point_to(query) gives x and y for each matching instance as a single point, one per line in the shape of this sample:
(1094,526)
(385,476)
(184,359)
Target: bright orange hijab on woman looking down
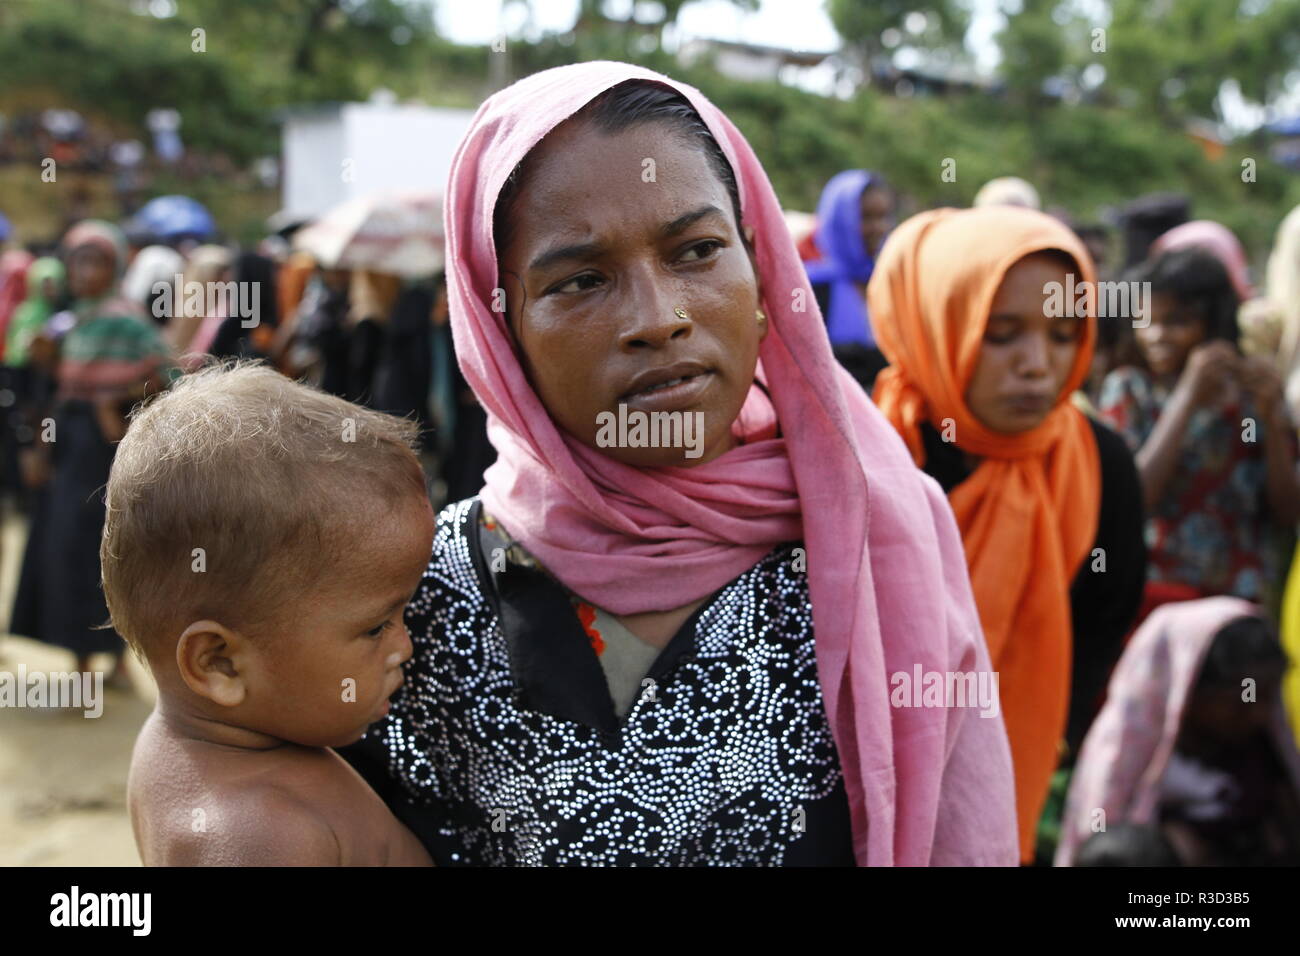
(1029,513)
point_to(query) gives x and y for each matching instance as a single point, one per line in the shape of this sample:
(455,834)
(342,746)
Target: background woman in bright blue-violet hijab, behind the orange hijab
(855,215)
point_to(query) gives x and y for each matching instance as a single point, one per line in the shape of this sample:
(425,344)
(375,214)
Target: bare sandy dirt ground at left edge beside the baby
(63,777)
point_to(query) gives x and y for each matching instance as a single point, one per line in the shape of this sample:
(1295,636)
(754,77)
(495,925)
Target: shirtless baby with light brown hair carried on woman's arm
(262,543)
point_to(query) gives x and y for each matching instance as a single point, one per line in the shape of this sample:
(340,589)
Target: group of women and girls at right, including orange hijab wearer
(1130,557)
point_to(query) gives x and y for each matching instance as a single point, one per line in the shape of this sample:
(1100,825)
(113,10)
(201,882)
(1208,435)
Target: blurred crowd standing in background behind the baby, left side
(97,325)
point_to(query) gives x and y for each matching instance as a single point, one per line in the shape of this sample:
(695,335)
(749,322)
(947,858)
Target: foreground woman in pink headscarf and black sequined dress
(697,612)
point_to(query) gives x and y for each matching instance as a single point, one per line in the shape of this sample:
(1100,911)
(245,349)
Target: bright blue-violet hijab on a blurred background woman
(846,261)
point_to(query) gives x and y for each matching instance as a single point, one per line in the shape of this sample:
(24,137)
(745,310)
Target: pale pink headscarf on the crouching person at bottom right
(1128,750)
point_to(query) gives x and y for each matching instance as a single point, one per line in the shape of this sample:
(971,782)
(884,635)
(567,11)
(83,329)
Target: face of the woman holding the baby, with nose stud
(616,287)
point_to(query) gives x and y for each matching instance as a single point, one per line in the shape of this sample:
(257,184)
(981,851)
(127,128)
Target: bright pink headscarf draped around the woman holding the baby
(886,566)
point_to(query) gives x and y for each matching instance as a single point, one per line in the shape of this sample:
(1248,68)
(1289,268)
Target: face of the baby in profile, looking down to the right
(328,674)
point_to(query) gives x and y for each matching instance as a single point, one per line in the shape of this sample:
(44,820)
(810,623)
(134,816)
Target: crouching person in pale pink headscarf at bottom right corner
(1191,752)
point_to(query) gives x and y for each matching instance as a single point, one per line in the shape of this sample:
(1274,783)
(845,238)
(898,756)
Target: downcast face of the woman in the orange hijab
(1026,357)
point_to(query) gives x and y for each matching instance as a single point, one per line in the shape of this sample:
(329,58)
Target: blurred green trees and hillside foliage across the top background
(1126,139)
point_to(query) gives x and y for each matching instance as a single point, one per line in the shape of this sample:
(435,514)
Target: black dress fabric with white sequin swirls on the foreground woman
(713,767)
